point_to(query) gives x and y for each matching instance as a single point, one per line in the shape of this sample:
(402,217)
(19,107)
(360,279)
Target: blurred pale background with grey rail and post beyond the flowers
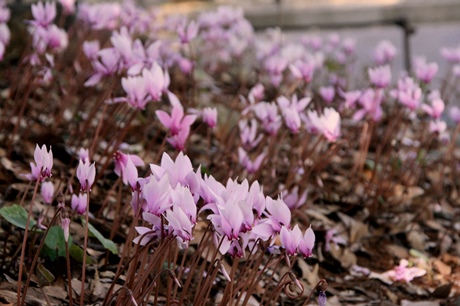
(415,27)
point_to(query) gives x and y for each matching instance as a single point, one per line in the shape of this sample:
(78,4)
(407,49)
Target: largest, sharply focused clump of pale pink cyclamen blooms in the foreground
(241,214)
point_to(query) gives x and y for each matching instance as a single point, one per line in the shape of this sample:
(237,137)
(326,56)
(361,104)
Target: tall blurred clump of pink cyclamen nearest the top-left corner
(47,38)
